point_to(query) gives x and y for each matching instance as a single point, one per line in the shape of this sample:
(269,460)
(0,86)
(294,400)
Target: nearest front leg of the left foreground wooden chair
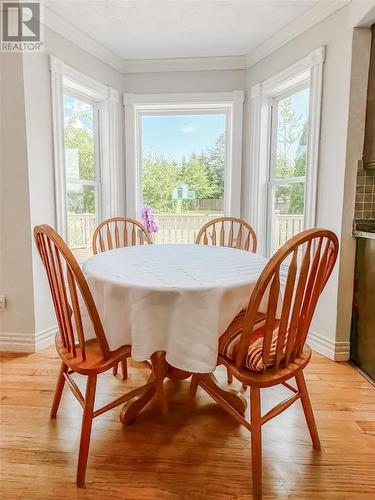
(86,429)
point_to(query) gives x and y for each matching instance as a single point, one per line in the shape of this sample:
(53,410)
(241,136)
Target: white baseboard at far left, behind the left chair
(27,342)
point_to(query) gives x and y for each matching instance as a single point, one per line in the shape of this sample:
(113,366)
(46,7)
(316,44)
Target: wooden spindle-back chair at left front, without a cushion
(78,354)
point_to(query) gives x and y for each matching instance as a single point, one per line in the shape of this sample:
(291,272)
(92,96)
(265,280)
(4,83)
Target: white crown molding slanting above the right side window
(301,24)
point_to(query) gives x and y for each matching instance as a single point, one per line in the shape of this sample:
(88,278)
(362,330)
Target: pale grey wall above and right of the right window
(330,333)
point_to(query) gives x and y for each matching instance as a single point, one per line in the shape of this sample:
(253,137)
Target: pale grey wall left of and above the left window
(27,190)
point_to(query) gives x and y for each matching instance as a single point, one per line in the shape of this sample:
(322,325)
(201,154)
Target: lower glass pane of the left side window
(82,220)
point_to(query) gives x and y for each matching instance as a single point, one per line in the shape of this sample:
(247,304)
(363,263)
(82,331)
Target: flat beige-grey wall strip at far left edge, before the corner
(16,280)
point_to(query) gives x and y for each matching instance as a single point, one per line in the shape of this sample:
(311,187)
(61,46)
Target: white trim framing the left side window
(63,78)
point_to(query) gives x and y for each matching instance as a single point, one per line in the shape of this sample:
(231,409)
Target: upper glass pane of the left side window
(79,138)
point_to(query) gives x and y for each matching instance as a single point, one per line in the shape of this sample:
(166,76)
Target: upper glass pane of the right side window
(292,134)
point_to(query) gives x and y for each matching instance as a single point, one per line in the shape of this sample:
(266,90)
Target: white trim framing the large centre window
(230,103)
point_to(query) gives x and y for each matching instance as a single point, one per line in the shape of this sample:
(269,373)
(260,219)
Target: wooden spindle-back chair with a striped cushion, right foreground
(267,349)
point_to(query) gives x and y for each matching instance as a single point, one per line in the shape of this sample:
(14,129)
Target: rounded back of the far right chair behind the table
(228,232)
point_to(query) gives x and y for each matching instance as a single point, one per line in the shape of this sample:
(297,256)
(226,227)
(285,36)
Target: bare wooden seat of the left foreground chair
(94,358)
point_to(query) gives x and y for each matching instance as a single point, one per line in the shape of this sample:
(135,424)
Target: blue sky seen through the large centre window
(176,136)
